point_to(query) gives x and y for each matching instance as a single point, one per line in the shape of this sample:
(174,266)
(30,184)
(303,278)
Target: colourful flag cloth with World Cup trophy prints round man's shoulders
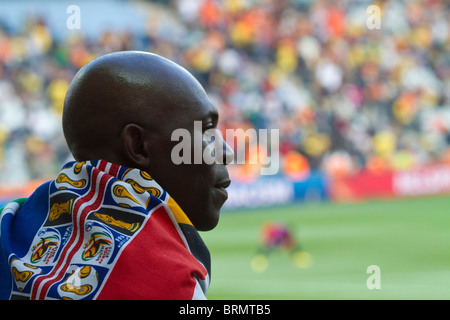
(100,231)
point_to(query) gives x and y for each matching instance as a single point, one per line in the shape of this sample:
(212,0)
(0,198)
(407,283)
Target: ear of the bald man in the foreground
(135,145)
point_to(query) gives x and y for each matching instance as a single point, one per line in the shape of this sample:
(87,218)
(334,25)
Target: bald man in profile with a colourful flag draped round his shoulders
(121,221)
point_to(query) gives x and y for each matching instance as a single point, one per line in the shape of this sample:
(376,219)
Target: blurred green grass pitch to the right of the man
(409,240)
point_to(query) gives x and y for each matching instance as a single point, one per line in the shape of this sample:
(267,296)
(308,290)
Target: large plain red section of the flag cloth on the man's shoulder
(155,265)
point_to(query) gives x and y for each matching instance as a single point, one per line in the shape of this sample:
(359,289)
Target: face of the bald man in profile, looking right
(199,188)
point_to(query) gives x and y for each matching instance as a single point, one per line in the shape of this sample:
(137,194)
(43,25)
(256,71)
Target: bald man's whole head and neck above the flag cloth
(123,108)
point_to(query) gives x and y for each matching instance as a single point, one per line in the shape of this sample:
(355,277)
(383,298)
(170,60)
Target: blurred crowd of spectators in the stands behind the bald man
(344,97)
